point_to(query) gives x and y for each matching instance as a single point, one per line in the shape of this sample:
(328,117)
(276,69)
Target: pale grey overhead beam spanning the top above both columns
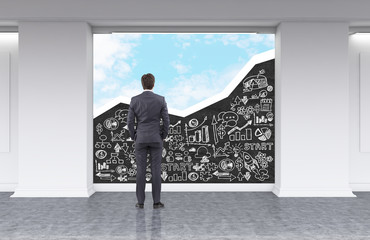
(191,12)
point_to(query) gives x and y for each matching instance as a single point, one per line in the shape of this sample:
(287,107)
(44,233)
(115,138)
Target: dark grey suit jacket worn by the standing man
(148,108)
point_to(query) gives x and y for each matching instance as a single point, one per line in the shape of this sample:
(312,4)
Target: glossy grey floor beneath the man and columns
(186,216)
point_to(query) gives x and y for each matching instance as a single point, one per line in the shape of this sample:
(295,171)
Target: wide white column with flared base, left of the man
(55,110)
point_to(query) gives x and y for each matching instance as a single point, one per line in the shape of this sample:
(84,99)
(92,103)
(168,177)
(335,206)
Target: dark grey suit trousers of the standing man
(155,155)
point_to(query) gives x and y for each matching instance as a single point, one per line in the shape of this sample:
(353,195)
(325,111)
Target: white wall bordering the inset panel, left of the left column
(9,160)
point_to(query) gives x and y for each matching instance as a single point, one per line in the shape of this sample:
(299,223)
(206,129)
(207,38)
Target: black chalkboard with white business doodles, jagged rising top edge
(229,141)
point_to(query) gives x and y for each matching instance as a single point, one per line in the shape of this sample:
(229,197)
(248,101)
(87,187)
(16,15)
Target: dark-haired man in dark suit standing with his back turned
(148,108)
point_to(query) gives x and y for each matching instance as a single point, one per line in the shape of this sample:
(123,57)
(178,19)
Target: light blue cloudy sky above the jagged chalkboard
(188,67)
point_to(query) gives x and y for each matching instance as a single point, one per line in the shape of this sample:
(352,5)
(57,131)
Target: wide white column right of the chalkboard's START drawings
(312,146)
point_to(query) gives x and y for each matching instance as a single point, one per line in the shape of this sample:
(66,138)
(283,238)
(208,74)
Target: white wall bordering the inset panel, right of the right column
(360,161)
